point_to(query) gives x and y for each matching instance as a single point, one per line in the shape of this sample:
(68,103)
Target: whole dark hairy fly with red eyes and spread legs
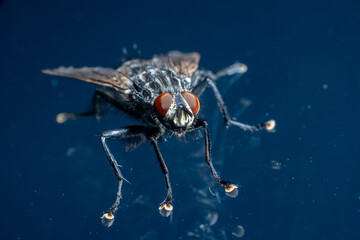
(163,93)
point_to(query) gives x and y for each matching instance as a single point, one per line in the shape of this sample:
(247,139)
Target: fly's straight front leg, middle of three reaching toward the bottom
(165,208)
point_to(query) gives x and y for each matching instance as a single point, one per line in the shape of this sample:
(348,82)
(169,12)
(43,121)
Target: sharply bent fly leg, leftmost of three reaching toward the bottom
(133,132)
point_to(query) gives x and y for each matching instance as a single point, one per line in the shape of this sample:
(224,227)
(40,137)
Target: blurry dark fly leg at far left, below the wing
(96,110)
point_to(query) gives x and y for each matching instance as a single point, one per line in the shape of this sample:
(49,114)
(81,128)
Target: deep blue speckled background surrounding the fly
(303,59)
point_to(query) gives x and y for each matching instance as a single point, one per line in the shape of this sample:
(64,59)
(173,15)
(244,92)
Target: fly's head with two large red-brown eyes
(177,111)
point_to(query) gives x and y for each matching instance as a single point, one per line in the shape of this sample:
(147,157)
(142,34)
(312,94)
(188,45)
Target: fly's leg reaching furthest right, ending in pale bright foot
(269,125)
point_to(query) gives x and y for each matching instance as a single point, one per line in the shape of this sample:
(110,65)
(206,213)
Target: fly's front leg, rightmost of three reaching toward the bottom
(230,189)
